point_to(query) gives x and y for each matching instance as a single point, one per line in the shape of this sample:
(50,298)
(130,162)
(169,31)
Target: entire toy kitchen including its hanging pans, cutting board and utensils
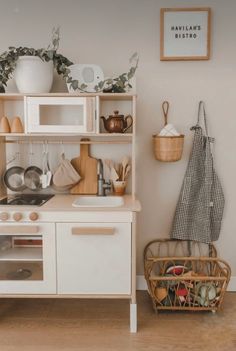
(68,198)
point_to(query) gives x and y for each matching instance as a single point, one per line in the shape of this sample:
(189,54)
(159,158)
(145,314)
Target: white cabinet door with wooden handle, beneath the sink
(94,258)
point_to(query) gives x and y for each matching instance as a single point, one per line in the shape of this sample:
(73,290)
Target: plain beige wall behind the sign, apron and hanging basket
(107,32)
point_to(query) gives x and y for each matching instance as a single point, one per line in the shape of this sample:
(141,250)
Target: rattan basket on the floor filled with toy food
(177,281)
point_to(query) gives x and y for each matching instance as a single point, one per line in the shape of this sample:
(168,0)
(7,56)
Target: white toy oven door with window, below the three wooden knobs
(27,259)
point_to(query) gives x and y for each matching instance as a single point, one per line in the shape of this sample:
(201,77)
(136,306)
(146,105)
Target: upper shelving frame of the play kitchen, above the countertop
(12,104)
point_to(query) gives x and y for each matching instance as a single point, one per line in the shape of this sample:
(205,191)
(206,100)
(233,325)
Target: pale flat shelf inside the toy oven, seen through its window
(22,254)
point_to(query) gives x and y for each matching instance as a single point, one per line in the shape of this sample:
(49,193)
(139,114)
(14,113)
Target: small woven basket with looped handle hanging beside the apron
(167,148)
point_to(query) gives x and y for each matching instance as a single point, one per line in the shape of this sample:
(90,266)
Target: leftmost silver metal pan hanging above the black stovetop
(14,178)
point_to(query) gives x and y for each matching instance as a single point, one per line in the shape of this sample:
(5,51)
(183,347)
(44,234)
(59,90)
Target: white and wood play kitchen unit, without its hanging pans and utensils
(69,251)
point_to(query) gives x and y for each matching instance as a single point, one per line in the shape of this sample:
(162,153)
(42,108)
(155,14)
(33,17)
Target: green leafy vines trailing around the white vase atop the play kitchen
(9,58)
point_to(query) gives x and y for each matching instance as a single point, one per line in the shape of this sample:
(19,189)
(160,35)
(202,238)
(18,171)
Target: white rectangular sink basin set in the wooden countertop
(96,201)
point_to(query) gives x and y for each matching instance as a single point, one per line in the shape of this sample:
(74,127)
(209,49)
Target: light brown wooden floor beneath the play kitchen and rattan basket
(103,325)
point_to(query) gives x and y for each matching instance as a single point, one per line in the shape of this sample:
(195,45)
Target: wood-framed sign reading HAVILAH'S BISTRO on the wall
(185,34)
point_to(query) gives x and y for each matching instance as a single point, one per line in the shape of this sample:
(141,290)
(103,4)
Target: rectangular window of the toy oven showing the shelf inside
(21,257)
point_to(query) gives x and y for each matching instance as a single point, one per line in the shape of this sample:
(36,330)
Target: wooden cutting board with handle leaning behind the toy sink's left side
(86,166)
